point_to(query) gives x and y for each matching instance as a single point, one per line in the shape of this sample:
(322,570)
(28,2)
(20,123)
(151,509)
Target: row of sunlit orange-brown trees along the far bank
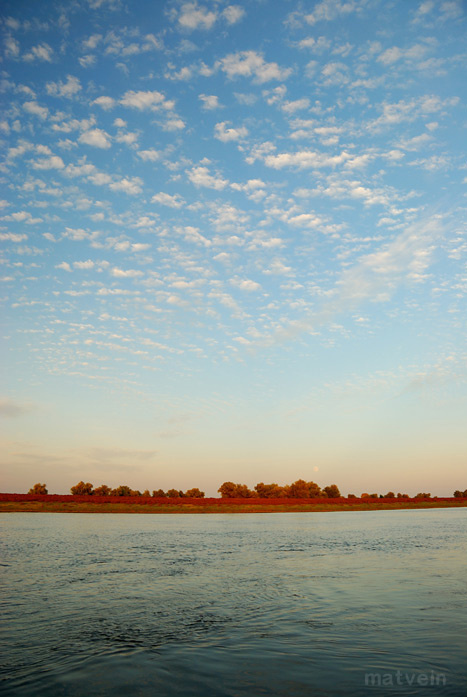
(299,489)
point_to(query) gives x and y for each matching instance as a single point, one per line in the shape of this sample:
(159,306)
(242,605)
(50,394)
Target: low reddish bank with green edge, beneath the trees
(223,506)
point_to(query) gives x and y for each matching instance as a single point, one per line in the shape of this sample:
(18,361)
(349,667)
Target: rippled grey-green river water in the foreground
(296,605)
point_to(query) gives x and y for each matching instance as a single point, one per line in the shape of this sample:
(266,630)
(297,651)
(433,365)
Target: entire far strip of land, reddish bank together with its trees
(300,496)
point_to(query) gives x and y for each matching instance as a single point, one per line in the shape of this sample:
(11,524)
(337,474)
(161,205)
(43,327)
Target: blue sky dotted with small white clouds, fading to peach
(233,244)
